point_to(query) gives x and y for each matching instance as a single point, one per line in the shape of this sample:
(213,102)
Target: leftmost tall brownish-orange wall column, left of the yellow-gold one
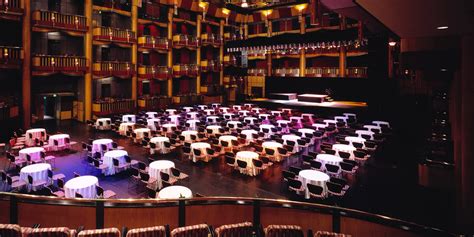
(26,75)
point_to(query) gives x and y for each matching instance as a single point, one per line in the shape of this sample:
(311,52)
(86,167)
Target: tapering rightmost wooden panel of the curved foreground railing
(357,227)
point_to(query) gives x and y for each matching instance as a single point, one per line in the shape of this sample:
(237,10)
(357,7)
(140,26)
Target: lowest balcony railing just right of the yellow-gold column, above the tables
(113,106)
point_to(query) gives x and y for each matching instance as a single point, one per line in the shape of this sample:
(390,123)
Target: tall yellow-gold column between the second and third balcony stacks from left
(88,54)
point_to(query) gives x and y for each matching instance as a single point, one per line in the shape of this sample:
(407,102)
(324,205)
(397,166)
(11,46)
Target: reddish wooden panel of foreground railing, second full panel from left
(141,217)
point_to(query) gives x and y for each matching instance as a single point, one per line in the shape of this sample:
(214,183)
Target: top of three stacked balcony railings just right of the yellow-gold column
(114,35)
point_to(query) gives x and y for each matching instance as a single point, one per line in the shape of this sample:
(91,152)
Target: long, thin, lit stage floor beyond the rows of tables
(333,104)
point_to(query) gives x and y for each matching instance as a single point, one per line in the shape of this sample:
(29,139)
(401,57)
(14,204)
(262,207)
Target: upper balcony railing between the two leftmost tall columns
(59,21)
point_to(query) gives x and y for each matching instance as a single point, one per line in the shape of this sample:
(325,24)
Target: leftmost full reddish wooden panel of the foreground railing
(53,215)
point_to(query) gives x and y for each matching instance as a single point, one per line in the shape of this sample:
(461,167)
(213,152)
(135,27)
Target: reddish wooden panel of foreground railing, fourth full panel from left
(305,219)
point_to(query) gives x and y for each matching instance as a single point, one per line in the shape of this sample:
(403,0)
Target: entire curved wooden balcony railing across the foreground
(215,211)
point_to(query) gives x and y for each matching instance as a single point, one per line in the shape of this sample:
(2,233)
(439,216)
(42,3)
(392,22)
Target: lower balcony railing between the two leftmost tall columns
(66,64)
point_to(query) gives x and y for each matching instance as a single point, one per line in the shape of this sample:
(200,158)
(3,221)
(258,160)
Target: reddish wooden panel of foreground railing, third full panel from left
(217,215)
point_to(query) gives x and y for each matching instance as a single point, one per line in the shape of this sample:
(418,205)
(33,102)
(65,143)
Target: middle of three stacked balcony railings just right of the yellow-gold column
(117,69)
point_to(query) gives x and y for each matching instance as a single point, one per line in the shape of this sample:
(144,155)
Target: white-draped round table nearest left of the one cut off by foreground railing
(84,185)
